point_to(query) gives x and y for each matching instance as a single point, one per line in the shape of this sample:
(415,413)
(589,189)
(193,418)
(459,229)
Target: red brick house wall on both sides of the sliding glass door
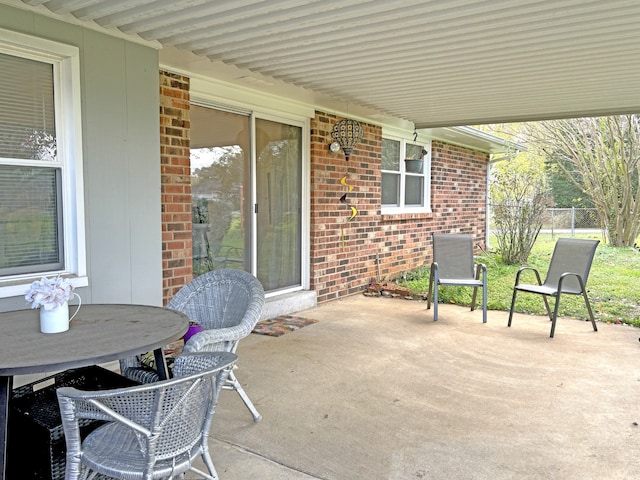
(345,254)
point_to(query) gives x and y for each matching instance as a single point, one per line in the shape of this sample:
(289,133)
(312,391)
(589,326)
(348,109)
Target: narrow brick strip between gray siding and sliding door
(175,183)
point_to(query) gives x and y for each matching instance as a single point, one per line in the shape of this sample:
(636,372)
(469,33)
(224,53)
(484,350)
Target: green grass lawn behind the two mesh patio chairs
(613,285)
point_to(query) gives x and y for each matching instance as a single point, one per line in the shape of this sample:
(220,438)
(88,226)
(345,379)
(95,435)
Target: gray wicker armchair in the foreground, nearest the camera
(152,431)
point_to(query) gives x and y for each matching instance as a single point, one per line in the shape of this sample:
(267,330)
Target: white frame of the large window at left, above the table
(65,60)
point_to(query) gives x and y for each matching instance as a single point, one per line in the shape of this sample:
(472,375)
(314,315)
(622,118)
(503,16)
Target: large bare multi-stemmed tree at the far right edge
(601,156)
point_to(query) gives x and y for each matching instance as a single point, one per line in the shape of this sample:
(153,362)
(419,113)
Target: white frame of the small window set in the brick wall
(426,174)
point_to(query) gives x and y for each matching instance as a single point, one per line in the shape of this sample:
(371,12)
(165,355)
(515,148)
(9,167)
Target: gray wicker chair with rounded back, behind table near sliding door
(227,303)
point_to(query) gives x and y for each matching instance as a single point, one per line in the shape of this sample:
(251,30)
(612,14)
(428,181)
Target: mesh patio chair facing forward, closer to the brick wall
(454,264)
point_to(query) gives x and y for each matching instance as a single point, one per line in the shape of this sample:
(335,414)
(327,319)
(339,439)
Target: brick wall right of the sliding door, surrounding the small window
(346,255)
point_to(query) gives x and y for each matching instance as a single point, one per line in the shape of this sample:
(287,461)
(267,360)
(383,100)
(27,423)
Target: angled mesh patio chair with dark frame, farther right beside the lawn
(568,273)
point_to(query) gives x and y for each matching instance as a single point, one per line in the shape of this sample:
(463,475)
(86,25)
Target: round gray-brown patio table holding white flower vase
(97,334)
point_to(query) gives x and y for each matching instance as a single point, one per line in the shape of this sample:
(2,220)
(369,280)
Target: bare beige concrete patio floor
(377,390)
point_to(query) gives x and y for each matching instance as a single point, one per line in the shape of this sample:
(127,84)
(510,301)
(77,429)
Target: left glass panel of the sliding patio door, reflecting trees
(220,192)
